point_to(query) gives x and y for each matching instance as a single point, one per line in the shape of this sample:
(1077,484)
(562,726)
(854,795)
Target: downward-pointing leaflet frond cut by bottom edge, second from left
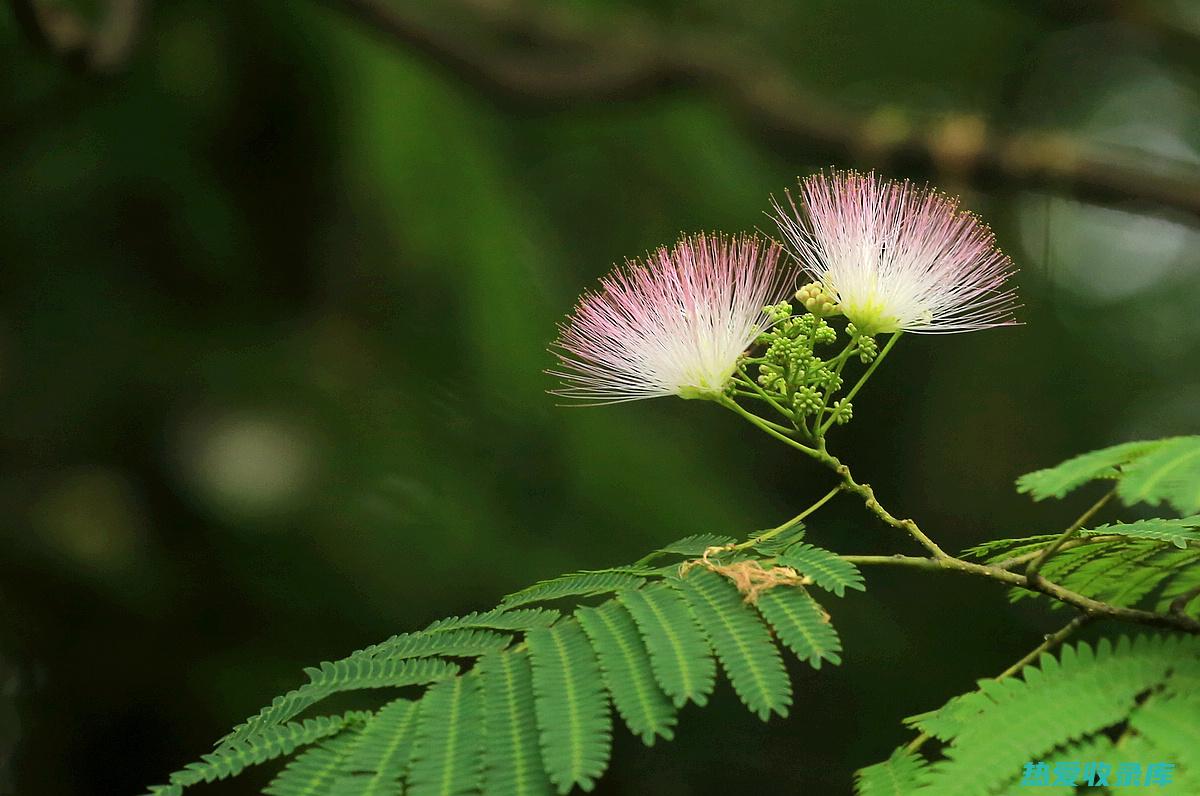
(382,756)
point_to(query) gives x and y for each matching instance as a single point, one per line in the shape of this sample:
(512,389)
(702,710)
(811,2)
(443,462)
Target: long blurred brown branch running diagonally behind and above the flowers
(549,58)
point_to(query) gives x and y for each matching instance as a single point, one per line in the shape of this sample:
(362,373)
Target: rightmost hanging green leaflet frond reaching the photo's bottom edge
(572,707)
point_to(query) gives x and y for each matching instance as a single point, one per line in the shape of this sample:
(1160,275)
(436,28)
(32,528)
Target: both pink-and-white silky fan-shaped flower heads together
(890,256)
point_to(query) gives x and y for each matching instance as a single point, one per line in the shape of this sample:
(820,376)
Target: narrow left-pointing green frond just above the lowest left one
(343,677)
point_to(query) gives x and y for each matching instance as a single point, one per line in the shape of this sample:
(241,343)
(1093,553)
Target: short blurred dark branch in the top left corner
(104,49)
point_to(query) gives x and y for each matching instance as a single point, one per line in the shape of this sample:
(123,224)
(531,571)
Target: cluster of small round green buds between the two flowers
(790,368)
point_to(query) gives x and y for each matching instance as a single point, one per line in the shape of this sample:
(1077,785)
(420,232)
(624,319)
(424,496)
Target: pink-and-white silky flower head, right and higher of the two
(896,258)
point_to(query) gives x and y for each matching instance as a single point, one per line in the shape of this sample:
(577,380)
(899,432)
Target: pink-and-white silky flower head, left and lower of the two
(675,325)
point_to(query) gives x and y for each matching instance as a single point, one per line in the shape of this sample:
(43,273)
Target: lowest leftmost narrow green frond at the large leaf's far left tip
(273,743)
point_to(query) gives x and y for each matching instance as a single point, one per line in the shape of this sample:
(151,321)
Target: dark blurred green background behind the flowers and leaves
(277,300)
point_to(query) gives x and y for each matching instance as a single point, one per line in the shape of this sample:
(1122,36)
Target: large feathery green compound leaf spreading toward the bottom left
(520,699)
